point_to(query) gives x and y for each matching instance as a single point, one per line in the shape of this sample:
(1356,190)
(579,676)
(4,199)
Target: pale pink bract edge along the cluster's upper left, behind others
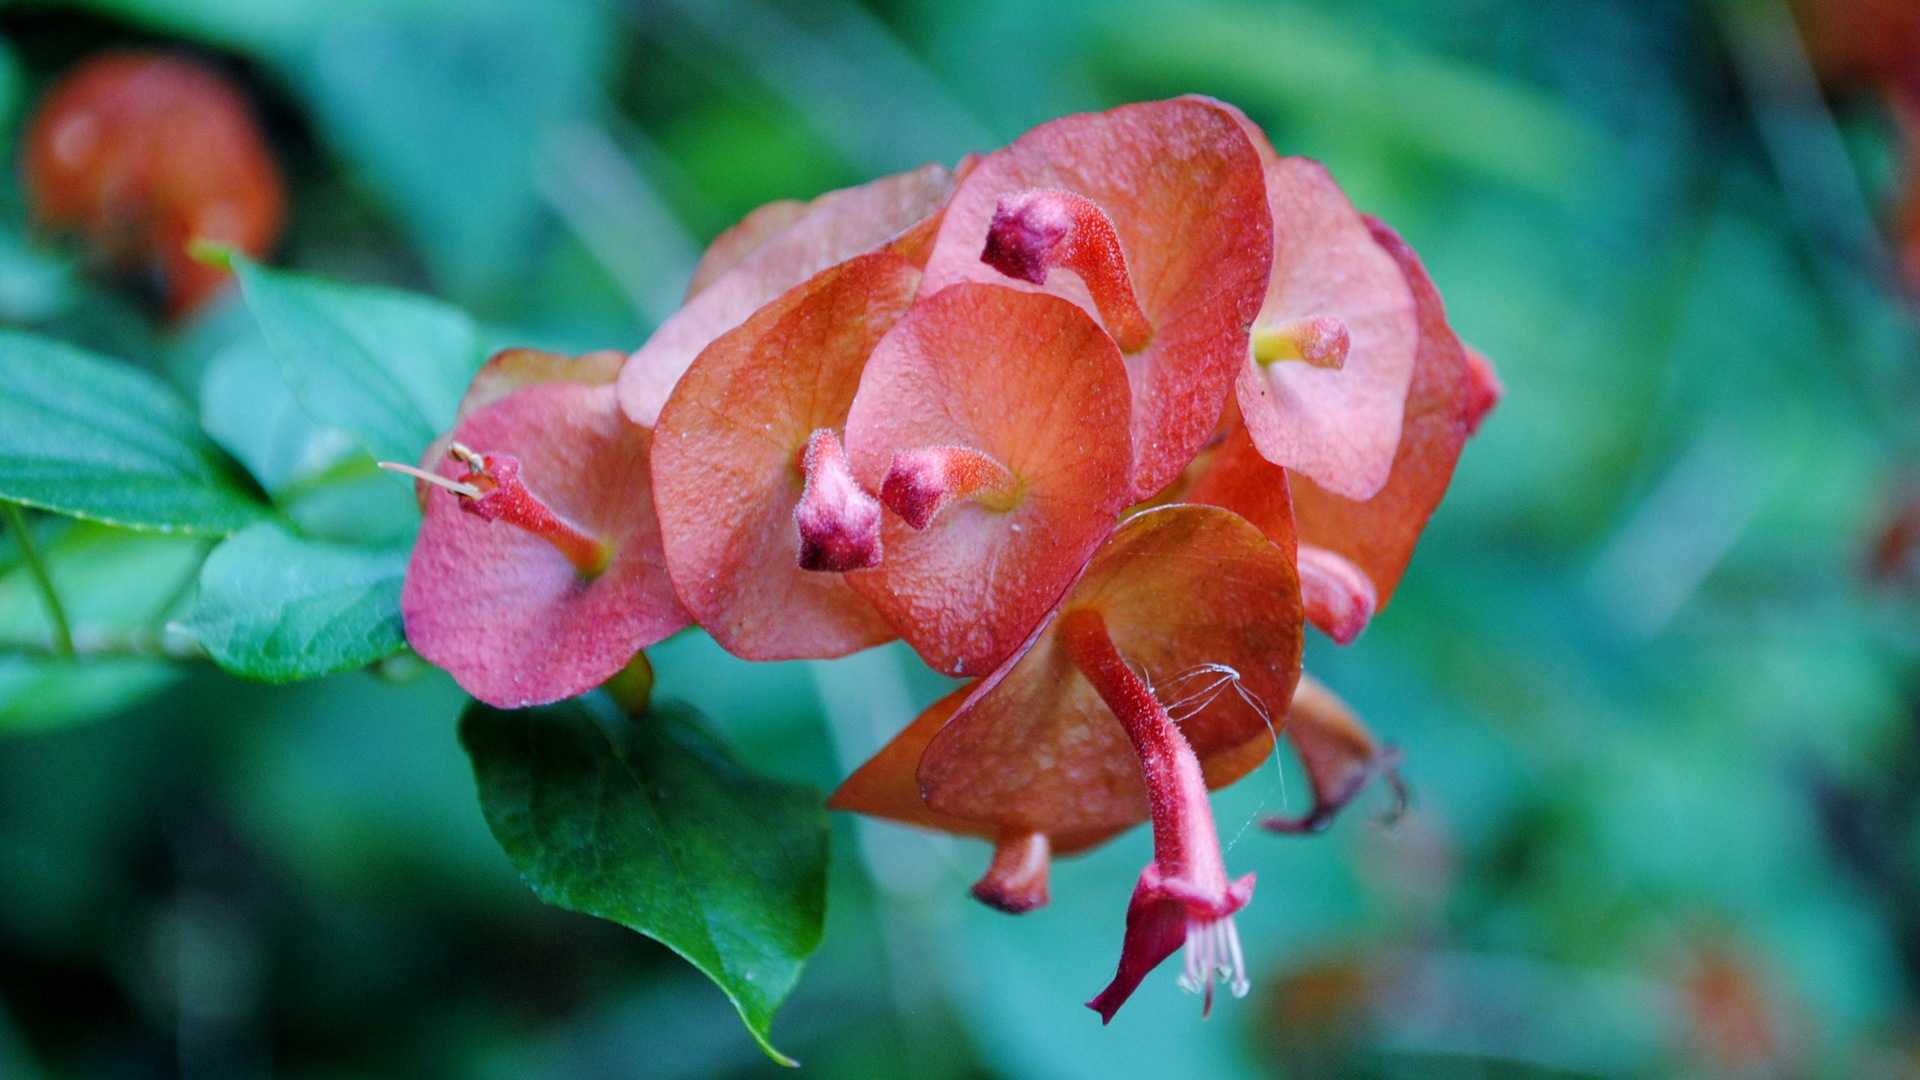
(775,251)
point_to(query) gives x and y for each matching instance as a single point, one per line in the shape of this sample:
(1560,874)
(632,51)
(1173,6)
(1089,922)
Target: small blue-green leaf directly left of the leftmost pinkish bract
(281,608)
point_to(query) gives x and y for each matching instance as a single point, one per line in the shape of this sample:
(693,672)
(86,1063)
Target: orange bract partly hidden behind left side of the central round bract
(727,464)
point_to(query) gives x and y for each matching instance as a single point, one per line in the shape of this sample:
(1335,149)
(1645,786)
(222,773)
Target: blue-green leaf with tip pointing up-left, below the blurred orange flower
(383,366)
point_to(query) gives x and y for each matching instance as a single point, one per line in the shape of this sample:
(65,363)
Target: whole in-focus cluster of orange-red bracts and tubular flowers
(1097,422)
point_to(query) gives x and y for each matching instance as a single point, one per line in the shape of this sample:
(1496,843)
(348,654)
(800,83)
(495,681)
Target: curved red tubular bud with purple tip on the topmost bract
(1042,230)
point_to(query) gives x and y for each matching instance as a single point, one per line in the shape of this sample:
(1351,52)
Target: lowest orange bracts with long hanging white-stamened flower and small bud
(1155,681)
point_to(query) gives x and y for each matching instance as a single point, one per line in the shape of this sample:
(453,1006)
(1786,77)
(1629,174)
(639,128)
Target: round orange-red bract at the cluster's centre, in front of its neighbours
(1032,383)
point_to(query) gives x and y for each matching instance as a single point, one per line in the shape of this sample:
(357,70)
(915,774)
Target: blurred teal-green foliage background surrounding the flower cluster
(1660,725)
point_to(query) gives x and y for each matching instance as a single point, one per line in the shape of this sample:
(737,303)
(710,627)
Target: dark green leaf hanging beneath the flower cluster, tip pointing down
(652,823)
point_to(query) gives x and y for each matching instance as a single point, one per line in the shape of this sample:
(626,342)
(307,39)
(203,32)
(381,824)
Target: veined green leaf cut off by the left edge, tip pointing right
(97,439)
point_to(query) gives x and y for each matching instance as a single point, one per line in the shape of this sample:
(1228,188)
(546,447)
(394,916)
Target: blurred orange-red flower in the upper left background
(145,155)
